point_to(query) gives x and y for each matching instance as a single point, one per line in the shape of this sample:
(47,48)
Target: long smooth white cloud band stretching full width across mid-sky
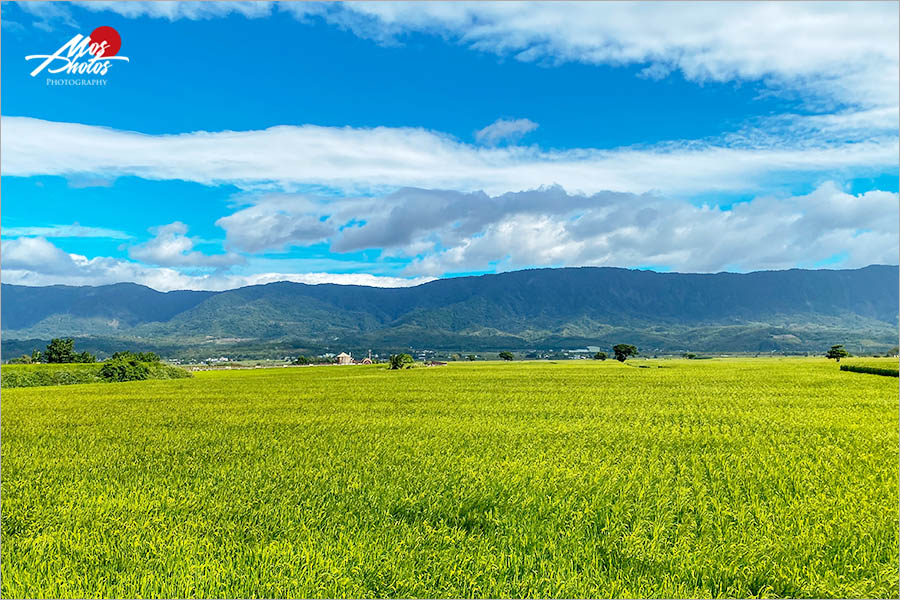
(380,159)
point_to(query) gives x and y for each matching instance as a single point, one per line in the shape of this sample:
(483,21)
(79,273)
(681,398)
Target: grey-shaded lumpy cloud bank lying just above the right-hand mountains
(444,231)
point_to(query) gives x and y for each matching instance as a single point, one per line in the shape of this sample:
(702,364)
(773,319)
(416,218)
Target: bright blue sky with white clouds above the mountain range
(390,144)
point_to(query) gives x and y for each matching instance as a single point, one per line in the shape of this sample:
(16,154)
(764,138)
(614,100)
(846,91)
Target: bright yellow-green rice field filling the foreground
(713,478)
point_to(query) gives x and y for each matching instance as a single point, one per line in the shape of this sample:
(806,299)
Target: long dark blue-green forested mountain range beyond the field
(794,310)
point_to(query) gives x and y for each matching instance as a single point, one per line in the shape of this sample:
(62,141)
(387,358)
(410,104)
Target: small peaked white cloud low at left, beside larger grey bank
(171,247)
